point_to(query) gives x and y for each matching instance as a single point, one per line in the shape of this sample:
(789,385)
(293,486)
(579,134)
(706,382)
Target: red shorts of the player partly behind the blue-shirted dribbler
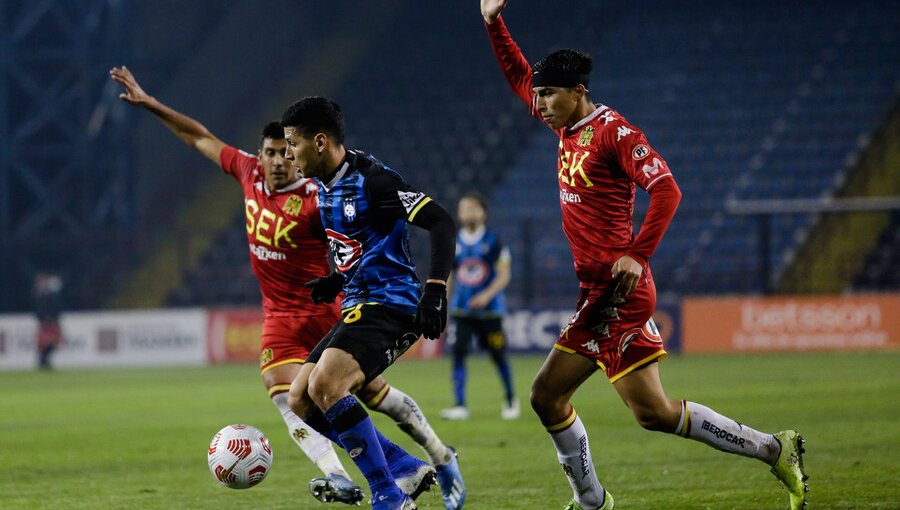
(291,339)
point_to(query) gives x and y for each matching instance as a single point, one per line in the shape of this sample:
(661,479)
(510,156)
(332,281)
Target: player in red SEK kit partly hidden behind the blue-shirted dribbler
(288,248)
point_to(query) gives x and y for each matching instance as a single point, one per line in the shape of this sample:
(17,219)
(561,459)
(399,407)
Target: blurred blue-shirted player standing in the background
(477,305)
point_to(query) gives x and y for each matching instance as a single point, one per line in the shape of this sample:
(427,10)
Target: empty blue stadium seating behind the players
(759,100)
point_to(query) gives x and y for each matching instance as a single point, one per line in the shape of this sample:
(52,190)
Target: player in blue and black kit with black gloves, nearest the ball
(365,208)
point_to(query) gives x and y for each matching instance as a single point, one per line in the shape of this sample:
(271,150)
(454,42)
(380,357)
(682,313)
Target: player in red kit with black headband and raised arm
(601,158)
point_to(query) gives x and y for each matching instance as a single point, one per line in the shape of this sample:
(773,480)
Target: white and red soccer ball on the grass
(239,456)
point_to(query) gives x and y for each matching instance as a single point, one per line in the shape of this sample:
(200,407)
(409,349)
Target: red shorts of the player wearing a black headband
(632,341)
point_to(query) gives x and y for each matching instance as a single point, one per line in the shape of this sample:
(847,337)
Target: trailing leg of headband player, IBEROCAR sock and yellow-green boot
(643,392)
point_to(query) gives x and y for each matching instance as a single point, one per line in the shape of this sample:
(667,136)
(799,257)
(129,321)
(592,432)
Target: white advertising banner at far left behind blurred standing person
(110,339)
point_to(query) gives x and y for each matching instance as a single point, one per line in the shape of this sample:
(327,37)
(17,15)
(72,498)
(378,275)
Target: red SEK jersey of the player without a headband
(284,231)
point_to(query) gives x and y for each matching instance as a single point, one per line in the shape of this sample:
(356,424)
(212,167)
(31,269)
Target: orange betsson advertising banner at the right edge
(791,323)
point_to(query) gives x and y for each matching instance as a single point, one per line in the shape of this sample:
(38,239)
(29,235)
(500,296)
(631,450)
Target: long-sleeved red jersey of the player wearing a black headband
(600,160)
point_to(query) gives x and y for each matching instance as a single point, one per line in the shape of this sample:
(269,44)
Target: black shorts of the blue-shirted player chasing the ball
(373,334)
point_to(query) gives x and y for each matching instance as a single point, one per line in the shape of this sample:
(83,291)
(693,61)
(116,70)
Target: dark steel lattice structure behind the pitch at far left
(65,191)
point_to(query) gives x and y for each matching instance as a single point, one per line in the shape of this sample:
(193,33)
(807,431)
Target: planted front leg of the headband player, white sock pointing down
(551,392)
